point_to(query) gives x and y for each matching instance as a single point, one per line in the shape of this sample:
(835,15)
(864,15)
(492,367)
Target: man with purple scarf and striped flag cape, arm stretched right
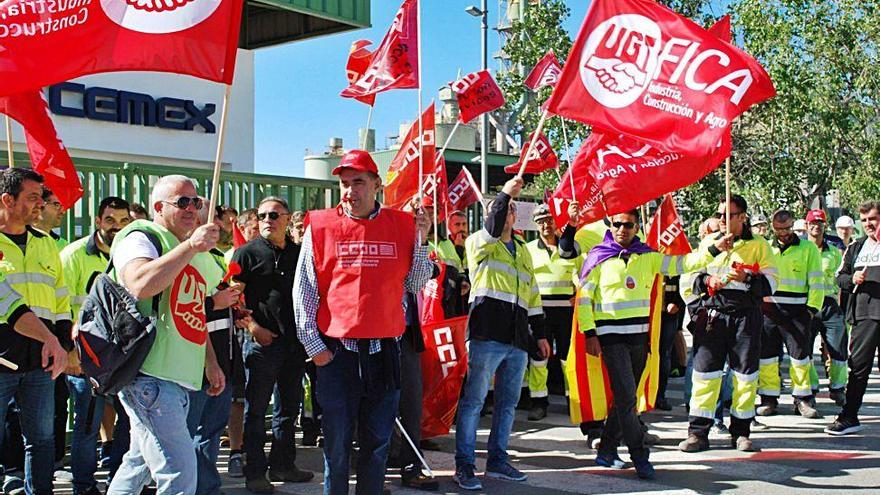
(614,305)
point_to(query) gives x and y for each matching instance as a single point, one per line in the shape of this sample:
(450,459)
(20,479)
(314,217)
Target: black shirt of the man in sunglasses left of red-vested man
(267,272)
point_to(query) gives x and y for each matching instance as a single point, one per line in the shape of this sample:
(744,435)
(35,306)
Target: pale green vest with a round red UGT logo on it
(178,353)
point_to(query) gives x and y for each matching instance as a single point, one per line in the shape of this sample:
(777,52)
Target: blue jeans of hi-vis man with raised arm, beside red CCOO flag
(487,358)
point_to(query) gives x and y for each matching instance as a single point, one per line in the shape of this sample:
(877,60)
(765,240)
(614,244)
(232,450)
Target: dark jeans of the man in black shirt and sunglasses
(264,367)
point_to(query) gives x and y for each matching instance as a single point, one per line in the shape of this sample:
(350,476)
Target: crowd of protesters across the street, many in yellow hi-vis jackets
(320,319)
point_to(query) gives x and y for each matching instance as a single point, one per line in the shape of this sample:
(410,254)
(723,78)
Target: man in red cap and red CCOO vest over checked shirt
(355,262)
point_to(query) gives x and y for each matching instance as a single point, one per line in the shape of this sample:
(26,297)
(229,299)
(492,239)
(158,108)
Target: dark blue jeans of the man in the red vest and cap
(342,394)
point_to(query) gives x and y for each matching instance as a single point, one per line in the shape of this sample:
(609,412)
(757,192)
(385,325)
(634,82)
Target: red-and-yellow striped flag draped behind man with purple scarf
(590,395)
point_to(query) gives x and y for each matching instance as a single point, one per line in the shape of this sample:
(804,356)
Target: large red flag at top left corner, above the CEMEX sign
(44,43)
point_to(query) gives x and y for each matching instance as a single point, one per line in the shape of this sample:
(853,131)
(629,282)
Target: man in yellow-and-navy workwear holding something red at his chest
(726,324)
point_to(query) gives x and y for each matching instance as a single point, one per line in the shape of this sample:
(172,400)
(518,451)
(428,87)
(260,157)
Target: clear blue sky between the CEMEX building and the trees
(298,106)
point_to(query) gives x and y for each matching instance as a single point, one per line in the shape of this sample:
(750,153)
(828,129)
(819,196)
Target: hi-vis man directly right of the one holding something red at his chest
(788,315)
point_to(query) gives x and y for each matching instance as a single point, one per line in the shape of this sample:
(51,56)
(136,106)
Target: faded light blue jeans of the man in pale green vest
(160,444)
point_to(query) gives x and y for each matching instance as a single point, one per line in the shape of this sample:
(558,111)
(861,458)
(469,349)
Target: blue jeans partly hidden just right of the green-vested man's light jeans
(206,421)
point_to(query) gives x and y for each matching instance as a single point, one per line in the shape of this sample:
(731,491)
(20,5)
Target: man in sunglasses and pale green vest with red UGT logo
(167,257)
